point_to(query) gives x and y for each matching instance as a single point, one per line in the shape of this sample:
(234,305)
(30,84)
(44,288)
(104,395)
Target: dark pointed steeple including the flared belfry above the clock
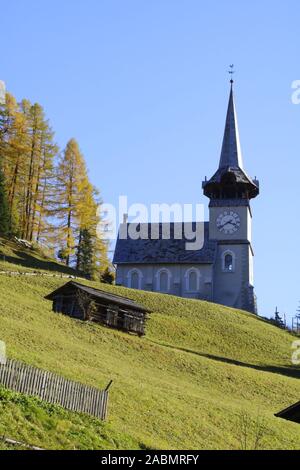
(230,180)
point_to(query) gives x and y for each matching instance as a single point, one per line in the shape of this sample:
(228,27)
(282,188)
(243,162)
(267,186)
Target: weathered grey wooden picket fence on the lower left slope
(53,388)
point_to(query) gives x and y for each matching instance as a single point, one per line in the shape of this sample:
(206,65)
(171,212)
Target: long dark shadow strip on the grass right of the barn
(292,371)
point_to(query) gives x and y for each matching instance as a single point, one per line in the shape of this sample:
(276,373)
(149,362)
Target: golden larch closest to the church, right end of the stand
(78,213)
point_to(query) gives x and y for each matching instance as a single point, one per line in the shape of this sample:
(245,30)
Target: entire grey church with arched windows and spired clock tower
(222,270)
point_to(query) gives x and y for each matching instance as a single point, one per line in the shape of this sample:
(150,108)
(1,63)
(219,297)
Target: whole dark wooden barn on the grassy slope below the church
(86,303)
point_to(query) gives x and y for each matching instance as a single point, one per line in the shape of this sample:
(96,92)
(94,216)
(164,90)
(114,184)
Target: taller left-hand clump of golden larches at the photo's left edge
(28,153)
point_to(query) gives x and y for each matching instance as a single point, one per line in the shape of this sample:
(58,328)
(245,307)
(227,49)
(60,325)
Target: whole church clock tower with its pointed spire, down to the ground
(230,190)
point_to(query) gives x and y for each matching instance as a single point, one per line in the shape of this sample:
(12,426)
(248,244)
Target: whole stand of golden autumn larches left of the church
(43,198)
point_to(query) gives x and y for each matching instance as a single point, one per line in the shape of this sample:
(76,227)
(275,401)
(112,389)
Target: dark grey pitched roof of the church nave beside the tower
(159,250)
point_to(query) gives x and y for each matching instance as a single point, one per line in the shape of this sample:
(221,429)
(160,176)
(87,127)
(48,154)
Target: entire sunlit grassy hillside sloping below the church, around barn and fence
(185,385)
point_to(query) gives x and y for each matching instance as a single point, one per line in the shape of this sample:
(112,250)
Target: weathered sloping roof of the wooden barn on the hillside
(99,294)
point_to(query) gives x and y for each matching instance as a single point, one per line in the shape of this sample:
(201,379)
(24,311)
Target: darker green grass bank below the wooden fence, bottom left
(51,427)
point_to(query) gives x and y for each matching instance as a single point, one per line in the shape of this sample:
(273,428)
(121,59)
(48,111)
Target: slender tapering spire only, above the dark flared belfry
(231,154)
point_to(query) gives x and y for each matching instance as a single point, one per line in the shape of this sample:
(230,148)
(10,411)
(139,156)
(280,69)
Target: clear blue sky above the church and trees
(143,86)
